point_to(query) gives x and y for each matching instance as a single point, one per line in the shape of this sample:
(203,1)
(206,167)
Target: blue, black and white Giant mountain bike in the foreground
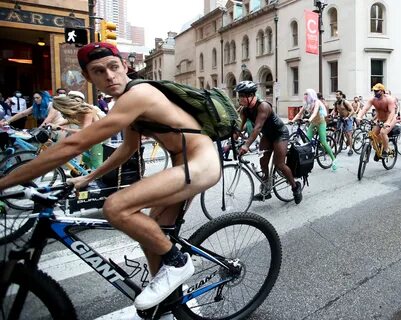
(237,259)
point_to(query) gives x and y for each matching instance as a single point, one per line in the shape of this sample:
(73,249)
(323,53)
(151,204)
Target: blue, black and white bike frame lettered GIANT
(50,226)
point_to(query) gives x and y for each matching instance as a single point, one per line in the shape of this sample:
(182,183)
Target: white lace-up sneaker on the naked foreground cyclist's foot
(163,284)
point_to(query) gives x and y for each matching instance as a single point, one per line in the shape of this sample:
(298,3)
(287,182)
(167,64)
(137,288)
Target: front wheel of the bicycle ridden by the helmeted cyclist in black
(238,193)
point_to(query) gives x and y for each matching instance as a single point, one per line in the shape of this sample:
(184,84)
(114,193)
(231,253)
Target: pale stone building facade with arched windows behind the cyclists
(264,41)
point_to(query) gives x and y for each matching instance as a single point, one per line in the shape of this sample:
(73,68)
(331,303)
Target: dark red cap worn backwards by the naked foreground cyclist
(94,51)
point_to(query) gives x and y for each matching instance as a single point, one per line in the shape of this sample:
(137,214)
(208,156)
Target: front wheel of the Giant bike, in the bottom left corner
(44,294)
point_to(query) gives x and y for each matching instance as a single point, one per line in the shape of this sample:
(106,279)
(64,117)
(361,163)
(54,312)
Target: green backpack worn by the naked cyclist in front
(212,108)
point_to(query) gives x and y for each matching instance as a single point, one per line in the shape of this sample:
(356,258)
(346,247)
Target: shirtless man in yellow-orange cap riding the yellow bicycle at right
(385,106)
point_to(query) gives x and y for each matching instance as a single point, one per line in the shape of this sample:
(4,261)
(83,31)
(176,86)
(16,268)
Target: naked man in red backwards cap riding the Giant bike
(164,192)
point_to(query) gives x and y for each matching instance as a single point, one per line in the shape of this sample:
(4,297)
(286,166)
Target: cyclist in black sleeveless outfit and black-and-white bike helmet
(275,135)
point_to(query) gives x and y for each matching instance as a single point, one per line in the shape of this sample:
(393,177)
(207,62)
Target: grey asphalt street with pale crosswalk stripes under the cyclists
(341,252)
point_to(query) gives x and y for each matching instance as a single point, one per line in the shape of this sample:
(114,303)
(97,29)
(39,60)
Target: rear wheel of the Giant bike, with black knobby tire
(260,258)
